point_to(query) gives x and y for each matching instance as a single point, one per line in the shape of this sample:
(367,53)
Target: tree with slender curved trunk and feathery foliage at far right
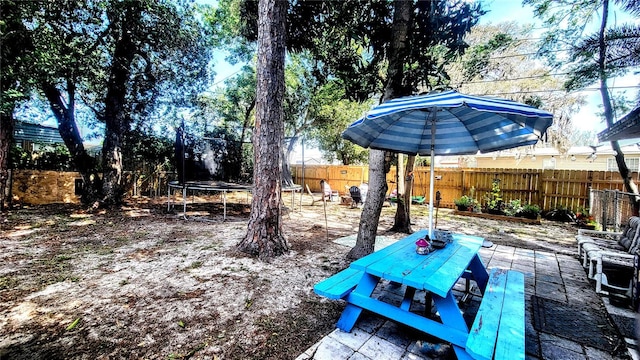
(595,56)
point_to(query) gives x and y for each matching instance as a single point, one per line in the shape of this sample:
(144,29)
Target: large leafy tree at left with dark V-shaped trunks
(127,61)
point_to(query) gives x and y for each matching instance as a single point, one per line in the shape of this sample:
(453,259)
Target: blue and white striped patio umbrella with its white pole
(448,123)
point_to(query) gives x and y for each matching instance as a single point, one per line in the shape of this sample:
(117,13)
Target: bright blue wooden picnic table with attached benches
(492,335)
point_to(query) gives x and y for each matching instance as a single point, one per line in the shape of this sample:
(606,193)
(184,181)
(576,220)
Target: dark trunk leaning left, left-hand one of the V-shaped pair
(68,129)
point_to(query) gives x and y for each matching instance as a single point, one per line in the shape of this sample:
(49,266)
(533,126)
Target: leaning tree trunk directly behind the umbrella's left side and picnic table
(378,161)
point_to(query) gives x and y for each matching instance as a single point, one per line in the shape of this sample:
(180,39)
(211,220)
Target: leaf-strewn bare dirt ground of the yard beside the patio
(143,283)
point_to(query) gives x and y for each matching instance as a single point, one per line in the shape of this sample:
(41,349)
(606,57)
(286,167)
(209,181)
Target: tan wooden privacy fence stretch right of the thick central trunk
(549,189)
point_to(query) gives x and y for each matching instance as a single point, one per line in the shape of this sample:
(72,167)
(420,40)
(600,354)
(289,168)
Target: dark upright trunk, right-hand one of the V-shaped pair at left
(116,119)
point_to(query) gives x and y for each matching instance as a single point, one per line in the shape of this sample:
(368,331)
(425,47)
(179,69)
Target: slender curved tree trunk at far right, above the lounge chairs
(629,185)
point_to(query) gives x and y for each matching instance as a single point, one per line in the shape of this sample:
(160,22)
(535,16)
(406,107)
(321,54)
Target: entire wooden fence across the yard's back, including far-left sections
(549,189)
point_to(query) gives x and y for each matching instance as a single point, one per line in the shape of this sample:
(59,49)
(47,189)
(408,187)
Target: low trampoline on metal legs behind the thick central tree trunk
(213,186)
